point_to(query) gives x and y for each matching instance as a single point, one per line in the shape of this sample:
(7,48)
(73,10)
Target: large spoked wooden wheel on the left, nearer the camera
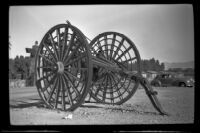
(63,67)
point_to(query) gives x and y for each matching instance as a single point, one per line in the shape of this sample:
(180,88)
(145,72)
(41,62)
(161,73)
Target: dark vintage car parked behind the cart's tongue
(168,79)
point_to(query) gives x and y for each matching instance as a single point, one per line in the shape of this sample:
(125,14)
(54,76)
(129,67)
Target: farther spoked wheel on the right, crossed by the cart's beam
(113,87)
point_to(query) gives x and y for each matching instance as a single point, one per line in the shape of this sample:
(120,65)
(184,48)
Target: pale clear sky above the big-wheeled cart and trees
(164,32)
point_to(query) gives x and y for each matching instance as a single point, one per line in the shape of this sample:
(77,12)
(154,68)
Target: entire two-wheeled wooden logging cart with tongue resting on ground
(67,68)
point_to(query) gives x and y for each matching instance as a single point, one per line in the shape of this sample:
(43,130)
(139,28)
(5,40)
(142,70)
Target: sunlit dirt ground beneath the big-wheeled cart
(26,108)
